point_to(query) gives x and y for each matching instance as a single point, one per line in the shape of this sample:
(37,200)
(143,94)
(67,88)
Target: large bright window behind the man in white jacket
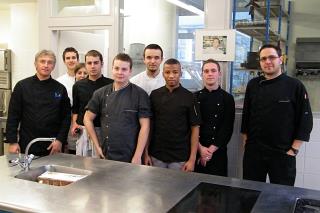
(169,23)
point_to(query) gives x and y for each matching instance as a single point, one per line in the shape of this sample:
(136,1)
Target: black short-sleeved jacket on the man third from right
(174,113)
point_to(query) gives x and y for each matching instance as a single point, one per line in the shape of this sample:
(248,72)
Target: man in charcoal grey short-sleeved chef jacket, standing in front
(124,110)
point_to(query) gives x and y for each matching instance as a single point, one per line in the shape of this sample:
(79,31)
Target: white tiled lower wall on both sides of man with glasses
(308,159)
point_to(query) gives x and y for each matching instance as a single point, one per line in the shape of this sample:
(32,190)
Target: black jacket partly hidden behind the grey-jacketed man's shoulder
(82,92)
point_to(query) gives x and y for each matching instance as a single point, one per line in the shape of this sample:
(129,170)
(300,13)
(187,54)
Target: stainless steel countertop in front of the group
(123,187)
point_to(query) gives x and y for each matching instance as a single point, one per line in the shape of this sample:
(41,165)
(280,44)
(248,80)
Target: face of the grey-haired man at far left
(44,66)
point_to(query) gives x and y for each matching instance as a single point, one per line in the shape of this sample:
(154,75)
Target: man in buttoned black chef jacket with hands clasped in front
(217,112)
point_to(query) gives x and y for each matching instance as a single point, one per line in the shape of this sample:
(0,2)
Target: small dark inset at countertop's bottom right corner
(307,205)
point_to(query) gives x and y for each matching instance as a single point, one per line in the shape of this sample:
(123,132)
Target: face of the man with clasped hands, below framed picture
(210,74)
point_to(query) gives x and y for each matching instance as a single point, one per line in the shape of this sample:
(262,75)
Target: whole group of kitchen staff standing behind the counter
(152,119)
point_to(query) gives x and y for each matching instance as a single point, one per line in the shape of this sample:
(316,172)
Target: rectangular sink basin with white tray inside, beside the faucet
(54,175)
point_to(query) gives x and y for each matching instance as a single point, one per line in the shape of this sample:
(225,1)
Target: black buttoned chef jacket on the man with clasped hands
(217,112)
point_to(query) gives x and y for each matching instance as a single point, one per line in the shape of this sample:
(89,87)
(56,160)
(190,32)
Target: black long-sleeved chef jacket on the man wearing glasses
(276,112)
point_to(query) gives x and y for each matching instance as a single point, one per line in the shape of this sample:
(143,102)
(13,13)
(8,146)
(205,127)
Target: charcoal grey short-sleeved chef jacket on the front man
(120,112)
